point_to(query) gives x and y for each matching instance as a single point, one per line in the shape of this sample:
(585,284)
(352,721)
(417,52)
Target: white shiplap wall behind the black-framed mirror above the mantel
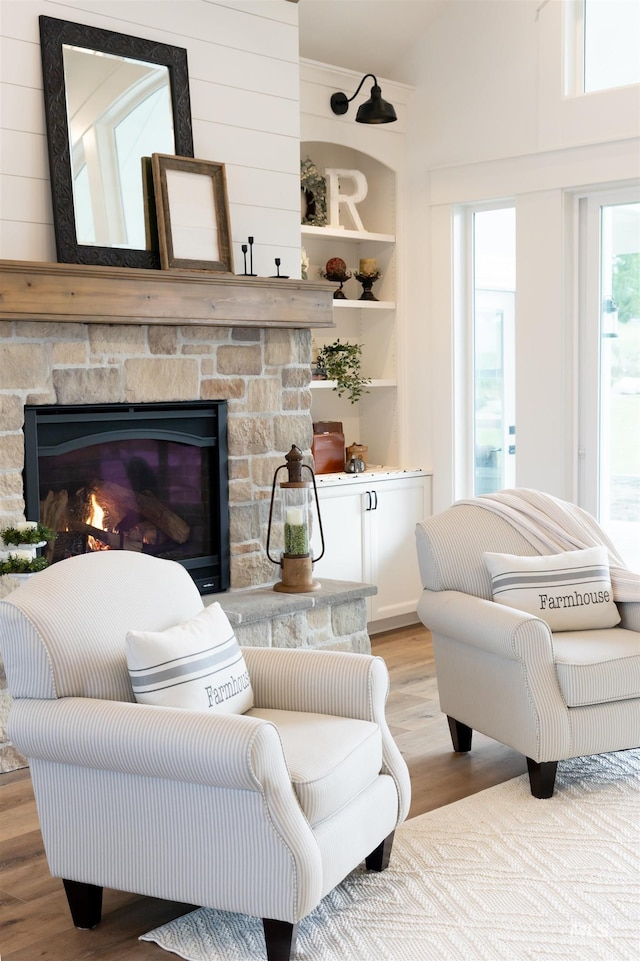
(244,84)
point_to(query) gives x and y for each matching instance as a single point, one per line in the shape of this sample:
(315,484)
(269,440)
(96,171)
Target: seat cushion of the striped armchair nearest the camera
(330,759)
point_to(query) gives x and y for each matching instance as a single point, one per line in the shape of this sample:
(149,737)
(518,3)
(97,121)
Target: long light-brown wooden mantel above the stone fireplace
(123,295)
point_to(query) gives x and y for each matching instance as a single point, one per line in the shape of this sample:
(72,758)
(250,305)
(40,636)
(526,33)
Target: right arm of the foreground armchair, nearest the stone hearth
(330,682)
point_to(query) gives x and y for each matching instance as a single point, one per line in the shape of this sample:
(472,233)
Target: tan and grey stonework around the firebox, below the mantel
(262,373)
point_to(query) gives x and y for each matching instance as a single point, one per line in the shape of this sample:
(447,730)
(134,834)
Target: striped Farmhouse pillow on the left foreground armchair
(197,665)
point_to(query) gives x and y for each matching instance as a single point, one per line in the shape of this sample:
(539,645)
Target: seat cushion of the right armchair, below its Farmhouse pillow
(597,666)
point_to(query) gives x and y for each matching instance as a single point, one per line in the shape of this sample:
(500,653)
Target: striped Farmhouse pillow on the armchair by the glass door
(570,591)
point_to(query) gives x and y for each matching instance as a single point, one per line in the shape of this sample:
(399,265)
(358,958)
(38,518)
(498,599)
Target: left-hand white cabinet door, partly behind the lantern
(342,525)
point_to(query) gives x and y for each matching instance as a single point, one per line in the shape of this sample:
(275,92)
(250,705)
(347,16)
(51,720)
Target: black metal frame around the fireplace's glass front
(202,423)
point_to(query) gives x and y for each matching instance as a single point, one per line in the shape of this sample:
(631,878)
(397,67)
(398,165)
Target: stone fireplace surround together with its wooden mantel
(74,335)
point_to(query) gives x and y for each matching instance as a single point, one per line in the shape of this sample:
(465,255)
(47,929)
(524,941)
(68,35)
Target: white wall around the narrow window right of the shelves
(489,121)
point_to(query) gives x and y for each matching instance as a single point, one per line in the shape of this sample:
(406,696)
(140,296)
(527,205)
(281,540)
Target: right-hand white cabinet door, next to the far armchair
(390,548)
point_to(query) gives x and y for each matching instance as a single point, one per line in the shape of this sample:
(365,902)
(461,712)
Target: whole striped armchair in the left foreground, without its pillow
(261,813)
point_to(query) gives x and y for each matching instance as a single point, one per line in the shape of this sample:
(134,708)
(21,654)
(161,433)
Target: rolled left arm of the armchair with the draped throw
(491,627)
